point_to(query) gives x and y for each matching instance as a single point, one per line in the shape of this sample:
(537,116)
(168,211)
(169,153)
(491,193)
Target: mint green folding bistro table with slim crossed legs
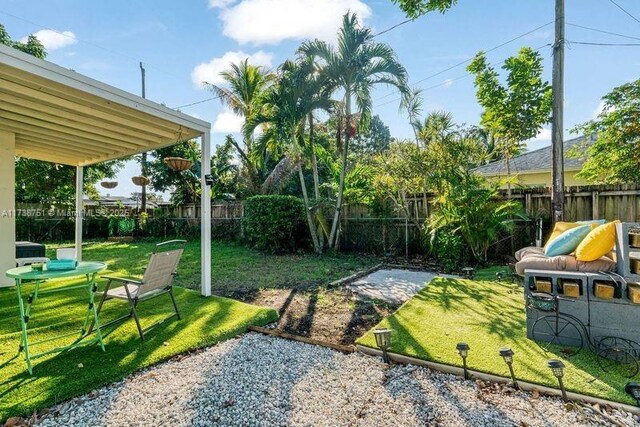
(35,278)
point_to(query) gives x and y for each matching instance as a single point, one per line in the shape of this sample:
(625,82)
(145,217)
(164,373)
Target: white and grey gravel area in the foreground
(264,381)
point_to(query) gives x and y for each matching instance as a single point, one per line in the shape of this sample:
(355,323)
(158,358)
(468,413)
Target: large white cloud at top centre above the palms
(272,21)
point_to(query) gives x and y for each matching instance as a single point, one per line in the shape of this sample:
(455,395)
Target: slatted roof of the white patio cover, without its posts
(60,116)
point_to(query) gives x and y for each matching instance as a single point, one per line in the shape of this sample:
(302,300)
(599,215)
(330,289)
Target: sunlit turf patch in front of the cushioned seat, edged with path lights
(487,315)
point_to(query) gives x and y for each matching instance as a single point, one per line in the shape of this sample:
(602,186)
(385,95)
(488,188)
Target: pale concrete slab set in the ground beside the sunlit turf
(394,286)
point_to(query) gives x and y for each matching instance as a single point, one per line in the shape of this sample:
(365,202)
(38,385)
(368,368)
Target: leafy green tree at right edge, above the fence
(612,158)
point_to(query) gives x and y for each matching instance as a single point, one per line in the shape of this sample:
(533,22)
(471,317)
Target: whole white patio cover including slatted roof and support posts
(50,113)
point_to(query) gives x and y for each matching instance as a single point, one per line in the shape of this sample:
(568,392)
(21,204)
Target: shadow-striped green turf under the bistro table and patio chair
(58,377)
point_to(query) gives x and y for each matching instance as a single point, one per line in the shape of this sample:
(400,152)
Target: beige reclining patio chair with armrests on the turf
(157,280)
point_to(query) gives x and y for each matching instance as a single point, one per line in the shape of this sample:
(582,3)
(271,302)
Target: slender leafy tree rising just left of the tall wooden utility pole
(515,112)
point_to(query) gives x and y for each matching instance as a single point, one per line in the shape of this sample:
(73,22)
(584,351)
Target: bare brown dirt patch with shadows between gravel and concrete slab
(332,315)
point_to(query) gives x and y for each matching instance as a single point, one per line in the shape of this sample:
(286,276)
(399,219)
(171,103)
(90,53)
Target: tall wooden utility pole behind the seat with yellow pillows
(557,137)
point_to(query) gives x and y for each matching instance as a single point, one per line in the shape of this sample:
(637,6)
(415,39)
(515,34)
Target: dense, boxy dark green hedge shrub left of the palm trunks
(275,223)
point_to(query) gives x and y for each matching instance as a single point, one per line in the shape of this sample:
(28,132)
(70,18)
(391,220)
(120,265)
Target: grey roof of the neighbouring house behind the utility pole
(534,161)
